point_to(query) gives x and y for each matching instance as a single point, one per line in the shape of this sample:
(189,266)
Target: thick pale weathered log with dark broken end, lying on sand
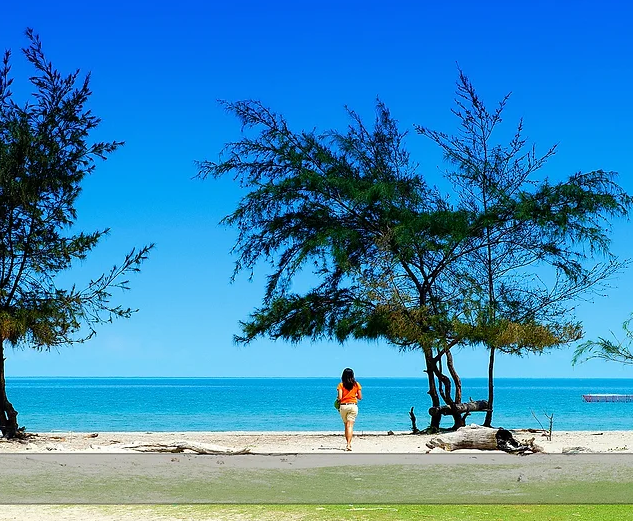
(482,438)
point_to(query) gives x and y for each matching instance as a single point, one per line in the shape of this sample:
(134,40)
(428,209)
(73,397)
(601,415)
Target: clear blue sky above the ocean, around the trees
(159,67)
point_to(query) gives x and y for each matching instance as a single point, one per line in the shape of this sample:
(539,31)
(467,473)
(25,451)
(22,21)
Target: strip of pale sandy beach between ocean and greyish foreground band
(297,442)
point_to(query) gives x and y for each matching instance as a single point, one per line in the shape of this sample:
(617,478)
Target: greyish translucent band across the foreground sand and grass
(305,478)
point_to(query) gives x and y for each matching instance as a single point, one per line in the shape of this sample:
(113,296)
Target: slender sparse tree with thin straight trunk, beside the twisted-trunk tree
(544,244)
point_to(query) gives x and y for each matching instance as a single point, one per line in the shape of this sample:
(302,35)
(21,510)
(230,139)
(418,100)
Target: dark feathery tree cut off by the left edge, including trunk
(45,153)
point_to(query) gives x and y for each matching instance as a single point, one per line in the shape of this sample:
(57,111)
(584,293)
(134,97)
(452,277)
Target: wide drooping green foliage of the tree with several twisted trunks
(351,208)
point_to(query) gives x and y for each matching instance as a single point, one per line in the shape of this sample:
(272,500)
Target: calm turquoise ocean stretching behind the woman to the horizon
(297,404)
